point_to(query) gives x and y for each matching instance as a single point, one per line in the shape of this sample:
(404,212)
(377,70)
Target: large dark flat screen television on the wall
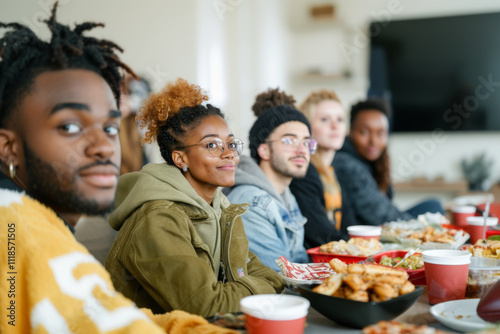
(438,73)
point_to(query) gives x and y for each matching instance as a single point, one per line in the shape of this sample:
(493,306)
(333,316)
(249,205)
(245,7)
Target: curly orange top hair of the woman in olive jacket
(160,106)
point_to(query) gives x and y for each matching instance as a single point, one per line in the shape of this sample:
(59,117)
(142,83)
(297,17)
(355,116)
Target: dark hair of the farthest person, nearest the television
(381,166)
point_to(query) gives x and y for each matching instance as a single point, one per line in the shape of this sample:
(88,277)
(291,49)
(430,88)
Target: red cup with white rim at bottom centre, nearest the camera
(270,314)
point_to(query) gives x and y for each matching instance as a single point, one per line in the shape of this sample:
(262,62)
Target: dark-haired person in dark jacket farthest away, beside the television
(362,168)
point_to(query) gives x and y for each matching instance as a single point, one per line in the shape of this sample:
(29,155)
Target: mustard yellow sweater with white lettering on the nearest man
(49,283)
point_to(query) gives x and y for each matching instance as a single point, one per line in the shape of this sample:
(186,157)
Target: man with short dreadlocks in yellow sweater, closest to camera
(60,155)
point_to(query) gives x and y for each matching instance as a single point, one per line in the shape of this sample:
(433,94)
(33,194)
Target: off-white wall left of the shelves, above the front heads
(234,49)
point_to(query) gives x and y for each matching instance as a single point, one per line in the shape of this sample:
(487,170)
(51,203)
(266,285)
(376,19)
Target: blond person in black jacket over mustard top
(319,194)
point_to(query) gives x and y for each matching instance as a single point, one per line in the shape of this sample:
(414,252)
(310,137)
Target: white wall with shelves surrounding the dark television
(413,155)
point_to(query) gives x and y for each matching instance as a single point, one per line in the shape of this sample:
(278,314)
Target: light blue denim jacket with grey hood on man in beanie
(273,223)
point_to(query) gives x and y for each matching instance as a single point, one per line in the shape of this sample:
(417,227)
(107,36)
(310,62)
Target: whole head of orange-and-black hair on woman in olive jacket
(170,114)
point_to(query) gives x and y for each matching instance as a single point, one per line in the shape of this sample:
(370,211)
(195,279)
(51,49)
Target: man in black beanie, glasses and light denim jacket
(280,145)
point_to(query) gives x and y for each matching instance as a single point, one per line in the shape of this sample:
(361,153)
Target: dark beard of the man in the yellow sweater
(57,189)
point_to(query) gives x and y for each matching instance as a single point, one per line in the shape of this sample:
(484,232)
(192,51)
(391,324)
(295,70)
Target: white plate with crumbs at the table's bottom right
(460,315)
